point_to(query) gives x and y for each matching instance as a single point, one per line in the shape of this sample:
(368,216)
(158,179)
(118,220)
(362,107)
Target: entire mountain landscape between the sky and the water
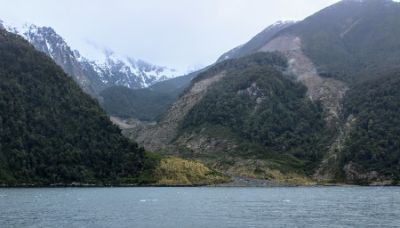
(302,103)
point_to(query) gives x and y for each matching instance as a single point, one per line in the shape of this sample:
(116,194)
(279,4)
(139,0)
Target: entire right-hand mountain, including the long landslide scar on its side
(342,53)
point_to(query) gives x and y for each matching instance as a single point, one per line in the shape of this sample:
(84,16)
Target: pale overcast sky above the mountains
(181,34)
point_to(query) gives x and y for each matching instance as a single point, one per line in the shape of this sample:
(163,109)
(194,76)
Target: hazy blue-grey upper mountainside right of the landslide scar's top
(351,39)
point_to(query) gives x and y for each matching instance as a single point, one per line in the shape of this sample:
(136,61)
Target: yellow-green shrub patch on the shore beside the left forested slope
(160,170)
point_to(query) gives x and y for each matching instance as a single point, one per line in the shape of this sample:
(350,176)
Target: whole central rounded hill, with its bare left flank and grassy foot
(245,112)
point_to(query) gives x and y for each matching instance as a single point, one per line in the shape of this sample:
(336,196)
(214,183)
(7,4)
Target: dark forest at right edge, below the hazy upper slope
(374,143)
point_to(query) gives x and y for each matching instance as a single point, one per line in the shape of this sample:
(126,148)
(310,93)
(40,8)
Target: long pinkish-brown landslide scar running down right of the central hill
(330,92)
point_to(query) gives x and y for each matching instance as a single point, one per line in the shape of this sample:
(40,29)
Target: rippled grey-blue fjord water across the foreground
(201,207)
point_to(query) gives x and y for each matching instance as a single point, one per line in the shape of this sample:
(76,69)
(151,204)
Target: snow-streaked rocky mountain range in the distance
(93,76)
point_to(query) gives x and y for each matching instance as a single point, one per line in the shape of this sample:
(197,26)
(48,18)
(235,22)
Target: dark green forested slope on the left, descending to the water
(50,131)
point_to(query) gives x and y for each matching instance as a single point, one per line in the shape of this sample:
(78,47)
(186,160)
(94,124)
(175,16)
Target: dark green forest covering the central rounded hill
(262,107)
